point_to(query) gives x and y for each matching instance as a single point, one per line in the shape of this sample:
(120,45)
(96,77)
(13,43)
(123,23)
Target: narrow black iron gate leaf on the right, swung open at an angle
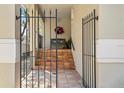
(89,50)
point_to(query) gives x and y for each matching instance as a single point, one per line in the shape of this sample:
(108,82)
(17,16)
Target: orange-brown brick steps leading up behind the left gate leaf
(64,56)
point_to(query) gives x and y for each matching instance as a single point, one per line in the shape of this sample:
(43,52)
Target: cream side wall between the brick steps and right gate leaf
(78,12)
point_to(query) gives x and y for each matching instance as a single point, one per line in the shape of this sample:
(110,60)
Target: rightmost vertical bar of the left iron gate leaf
(56,55)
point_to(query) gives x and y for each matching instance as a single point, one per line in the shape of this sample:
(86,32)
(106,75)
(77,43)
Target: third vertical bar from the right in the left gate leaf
(44,54)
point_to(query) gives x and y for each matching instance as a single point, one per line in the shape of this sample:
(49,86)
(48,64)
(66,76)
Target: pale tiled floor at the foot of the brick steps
(66,79)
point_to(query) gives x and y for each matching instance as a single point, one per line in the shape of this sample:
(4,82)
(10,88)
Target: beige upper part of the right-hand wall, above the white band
(111,22)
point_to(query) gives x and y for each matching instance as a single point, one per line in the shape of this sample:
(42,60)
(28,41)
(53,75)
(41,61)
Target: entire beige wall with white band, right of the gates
(110,46)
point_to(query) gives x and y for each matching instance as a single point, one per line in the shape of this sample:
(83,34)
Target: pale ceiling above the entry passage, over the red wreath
(63,10)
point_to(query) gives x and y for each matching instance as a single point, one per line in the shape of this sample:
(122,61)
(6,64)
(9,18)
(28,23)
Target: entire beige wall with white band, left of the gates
(7,45)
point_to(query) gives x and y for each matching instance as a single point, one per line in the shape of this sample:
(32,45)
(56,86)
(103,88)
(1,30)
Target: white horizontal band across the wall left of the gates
(7,51)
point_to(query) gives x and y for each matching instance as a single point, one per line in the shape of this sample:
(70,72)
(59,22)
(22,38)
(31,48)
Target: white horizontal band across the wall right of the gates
(110,50)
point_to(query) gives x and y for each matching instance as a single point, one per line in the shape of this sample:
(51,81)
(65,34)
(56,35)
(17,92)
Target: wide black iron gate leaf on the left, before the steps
(30,56)
